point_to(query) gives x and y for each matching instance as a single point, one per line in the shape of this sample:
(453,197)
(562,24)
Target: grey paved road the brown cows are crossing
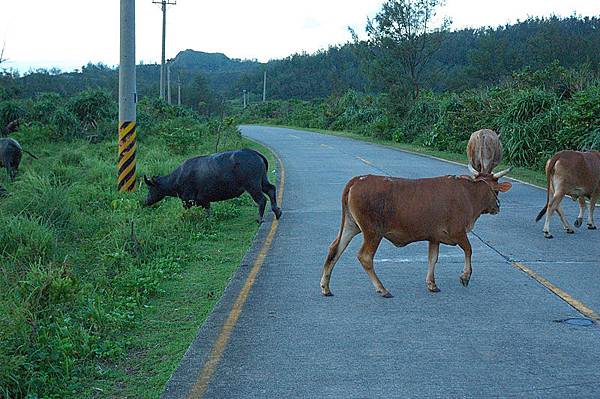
(497,338)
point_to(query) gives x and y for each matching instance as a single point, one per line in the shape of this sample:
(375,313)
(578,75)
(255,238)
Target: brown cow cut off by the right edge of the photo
(576,174)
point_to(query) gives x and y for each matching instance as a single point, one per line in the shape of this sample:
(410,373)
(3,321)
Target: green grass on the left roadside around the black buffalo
(85,311)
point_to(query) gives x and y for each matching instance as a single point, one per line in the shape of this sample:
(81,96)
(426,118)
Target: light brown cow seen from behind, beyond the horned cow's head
(484,150)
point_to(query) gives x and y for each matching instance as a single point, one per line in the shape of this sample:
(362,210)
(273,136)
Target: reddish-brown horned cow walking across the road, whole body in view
(439,210)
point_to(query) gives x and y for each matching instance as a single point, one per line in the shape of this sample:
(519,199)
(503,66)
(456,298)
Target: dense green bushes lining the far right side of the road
(537,114)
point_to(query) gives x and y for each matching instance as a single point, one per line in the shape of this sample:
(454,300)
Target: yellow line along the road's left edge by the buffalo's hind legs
(222,340)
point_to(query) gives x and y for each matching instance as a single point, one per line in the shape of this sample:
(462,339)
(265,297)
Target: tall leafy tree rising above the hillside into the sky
(402,39)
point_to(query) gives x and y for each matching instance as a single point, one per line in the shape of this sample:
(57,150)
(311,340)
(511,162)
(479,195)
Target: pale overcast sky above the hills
(70,33)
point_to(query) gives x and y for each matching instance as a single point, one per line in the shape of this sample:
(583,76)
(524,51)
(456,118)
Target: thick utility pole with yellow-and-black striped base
(127,99)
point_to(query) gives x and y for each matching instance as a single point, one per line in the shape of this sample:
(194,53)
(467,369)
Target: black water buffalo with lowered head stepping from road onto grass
(217,177)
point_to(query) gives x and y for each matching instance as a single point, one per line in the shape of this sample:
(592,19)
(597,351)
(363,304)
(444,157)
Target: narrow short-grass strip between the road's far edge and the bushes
(535,177)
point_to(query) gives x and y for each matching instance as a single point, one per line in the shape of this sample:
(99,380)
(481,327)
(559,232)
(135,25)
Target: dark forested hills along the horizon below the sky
(467,59)
